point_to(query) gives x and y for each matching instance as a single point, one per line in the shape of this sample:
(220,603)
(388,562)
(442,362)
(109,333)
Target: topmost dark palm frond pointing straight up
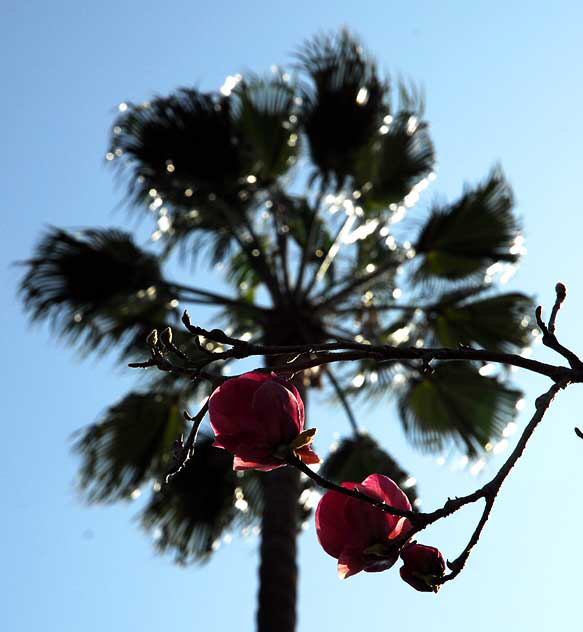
(344,106)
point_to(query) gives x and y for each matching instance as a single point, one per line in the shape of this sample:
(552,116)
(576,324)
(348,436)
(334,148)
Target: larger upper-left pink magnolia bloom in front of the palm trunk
(259,417)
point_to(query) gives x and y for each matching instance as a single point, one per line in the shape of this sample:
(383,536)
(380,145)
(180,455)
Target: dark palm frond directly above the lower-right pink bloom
(356,458)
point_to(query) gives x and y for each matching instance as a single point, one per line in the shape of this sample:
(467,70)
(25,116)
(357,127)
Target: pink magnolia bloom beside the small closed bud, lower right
(360,536)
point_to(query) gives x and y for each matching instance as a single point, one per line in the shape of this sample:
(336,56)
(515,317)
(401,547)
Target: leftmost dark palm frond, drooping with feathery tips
(97,287)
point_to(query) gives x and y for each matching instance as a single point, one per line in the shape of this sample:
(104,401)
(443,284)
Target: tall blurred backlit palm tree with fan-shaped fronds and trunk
(295,185)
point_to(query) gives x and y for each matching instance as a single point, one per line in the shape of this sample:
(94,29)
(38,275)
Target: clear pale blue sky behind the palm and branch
(502,84)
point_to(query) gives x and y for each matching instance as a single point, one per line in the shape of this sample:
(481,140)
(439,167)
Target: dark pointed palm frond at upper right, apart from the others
(462,240)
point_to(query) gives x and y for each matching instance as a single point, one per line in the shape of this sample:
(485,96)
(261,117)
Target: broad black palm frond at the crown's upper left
(182,148)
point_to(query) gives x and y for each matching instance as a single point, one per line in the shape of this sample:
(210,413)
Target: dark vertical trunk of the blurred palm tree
(278,570)
